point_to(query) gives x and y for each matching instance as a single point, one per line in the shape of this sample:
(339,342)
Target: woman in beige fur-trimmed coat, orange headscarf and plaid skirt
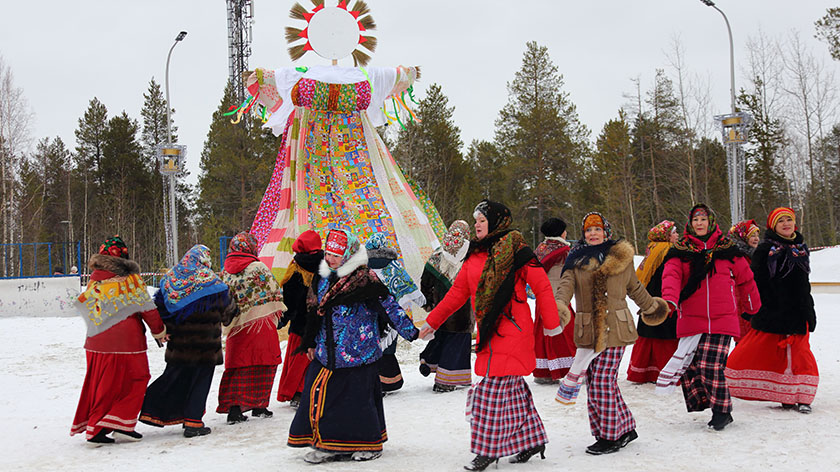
(600,273)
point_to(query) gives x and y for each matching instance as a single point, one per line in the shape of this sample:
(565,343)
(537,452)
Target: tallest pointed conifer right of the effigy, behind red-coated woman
(540,134)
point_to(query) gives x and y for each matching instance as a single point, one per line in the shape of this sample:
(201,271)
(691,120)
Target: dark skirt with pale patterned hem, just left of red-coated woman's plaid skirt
(448,356)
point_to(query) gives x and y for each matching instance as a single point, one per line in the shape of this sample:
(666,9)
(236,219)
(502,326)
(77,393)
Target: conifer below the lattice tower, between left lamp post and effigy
(236,165)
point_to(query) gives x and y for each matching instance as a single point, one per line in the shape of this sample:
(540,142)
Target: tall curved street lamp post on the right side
(735,129)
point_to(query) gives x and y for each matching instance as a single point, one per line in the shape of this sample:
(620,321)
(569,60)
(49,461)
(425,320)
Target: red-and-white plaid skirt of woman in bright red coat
(503,418)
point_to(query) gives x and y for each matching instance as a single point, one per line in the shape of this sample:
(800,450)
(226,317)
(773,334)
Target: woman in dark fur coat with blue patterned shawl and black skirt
(193,303)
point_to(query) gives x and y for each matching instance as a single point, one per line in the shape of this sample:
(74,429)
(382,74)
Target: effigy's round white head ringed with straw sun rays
(332,32)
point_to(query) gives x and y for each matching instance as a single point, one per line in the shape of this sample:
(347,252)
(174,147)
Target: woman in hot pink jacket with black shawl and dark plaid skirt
(708,282)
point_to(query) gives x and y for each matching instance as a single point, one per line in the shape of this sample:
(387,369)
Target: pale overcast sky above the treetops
(63,53)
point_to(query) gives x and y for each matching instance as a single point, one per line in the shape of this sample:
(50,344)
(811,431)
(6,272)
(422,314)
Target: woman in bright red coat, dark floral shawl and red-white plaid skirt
(503,418)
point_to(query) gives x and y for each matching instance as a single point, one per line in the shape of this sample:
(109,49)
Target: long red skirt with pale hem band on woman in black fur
(773,367)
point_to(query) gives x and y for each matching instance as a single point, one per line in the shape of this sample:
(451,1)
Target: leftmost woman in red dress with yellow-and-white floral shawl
(112,306)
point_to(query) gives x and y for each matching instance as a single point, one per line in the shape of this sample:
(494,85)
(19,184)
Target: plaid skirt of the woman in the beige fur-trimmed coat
(609,416)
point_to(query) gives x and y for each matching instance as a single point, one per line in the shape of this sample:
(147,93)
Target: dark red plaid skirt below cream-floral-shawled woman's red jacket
(246,387)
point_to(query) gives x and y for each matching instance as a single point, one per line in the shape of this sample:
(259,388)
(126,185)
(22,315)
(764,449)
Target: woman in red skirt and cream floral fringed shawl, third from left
(252,349)
